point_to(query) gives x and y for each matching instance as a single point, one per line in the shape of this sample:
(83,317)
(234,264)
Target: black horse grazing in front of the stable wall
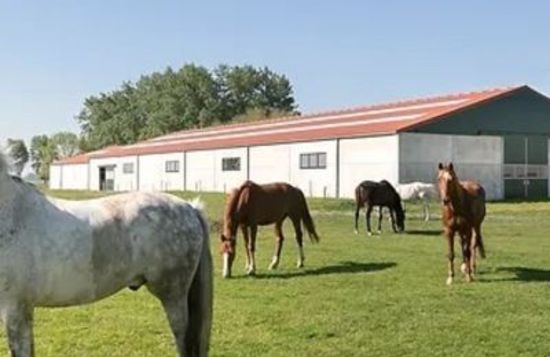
(369,194)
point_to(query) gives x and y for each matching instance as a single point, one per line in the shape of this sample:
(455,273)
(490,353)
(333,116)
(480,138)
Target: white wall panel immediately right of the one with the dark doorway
(153,175)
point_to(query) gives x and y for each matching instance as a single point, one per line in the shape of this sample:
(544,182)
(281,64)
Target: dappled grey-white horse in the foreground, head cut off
(57,253)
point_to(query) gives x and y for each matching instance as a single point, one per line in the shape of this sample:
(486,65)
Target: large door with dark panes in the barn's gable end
(525,167)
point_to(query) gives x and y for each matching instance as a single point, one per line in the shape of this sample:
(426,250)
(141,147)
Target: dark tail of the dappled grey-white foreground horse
(200,298)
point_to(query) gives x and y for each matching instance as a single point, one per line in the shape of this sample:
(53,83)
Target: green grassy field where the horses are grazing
(358,296)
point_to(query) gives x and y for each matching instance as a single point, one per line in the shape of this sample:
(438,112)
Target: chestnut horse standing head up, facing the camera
(463,212)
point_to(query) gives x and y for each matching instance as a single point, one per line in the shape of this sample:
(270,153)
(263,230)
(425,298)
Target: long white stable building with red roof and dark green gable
(499,137)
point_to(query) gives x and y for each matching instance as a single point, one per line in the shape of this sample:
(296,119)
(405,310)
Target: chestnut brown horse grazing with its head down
(253,205)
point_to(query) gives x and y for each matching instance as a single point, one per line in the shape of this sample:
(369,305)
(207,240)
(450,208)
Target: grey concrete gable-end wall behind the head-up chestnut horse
(477,158)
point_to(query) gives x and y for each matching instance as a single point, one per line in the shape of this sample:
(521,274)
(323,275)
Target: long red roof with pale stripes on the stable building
(357,122)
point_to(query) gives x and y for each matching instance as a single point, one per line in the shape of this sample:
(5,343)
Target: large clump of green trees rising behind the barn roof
(190,97)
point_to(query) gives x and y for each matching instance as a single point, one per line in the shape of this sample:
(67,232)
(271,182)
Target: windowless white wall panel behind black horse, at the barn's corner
(372,158)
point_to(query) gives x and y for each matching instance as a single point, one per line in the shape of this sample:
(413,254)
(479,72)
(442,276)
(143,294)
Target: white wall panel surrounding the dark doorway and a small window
(123,182)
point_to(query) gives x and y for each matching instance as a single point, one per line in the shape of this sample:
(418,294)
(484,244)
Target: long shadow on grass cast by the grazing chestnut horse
(342,268)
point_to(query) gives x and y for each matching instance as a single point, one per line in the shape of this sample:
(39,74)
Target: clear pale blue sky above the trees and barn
(337,53)
